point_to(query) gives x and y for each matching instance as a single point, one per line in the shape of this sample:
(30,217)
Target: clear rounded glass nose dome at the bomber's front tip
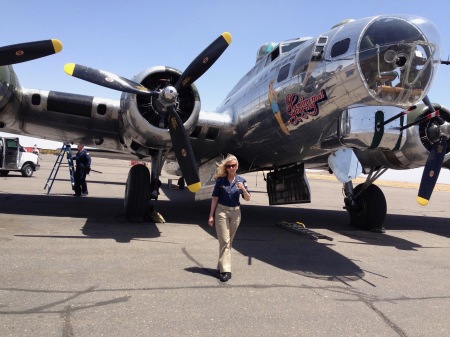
(396,61)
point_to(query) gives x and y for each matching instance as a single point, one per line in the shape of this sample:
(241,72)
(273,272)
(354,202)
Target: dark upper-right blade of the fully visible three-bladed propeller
(204,61)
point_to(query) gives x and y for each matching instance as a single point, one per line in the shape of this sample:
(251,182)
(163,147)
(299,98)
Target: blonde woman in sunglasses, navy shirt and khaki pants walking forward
(225,210)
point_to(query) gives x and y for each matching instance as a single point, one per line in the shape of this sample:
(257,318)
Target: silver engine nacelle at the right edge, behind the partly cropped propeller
(420,138)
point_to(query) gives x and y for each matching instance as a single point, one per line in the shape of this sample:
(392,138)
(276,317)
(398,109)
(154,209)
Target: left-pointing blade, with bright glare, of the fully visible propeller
(106,79)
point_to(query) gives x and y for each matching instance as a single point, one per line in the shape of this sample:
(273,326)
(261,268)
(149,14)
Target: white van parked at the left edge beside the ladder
(13,157)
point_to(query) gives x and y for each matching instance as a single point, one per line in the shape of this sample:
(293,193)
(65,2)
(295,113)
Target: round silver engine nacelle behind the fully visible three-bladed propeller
(143,119)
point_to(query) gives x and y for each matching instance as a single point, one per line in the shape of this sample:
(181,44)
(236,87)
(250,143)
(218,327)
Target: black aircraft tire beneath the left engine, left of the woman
(137,193)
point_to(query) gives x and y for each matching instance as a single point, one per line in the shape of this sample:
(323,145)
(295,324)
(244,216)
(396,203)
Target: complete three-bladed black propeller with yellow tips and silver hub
(168,97)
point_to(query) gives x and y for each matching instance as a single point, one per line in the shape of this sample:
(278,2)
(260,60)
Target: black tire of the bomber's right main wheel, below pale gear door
(370,209)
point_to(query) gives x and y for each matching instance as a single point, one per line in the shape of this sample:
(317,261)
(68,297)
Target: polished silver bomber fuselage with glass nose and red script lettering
(342,77)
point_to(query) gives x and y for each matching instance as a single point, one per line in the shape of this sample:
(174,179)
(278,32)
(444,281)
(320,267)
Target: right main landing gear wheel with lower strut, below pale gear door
(366,206)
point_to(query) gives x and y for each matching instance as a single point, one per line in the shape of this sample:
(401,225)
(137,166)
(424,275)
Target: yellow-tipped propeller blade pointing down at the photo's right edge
(431,171)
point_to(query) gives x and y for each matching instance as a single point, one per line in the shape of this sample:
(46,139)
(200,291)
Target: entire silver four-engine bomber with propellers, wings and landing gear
(351,100)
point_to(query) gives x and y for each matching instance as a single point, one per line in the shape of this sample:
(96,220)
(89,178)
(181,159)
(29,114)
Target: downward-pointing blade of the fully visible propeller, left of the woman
(183,151)
